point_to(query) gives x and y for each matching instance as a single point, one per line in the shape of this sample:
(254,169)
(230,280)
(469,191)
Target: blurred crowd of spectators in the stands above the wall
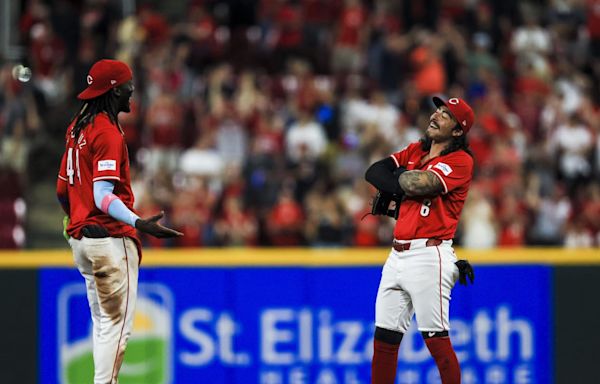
(253,122)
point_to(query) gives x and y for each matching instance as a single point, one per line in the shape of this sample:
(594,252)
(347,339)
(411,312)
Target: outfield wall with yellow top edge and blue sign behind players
(299,316)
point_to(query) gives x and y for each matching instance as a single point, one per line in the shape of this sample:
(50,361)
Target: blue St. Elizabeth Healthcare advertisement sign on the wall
(294,326)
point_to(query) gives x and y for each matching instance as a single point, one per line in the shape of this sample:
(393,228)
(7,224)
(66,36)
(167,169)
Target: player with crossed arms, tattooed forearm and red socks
(428,181)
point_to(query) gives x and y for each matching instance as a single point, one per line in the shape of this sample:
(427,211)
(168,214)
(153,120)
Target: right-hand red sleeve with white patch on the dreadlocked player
(107,155)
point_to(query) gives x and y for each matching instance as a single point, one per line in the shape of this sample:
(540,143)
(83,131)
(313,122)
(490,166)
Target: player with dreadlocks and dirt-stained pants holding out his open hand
(94,190)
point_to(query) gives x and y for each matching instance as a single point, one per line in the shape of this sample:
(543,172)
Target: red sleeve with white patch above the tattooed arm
(453,171)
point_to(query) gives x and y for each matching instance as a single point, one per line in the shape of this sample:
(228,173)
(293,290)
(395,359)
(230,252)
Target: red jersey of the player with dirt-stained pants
(100,153)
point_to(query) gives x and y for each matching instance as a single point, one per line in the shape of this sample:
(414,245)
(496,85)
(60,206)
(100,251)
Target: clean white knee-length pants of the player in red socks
(417,280)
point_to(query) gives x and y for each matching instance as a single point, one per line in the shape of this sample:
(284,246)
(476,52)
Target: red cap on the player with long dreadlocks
(105,75)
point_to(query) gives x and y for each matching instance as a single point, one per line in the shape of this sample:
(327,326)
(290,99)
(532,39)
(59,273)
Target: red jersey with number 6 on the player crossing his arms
(425,217)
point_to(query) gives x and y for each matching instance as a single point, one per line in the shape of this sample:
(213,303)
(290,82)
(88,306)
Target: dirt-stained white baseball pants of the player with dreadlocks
(110,268)
